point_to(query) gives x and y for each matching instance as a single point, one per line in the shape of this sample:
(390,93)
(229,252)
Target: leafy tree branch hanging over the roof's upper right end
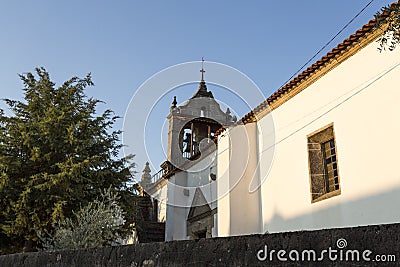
(388,19)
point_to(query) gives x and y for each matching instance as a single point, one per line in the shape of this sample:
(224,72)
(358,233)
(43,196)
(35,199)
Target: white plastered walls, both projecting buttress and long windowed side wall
(361,98)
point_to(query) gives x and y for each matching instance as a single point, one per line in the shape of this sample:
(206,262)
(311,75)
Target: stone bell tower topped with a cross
(194,124)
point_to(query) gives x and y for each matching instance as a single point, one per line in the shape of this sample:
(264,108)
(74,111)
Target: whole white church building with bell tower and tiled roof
(321,152)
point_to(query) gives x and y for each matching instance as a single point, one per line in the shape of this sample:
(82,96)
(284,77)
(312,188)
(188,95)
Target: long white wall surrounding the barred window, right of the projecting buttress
(361,97)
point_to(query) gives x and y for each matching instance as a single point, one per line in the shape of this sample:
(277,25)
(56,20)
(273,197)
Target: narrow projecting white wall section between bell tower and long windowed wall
(239,204)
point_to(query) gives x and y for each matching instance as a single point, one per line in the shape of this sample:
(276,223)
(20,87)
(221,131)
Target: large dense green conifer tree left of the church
(56,155)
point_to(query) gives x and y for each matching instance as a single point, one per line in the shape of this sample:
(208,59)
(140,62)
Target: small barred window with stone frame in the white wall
(323,164)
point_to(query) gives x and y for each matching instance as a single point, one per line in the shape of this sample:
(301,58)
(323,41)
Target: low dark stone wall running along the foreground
(345,243)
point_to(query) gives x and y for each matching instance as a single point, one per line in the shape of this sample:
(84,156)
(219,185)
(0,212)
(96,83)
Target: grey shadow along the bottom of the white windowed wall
(381,208)
